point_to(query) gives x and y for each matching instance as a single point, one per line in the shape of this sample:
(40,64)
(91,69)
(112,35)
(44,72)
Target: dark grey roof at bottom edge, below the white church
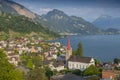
(67,77)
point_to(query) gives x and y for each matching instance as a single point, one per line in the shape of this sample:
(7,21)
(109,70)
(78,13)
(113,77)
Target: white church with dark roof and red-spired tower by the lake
(77,62)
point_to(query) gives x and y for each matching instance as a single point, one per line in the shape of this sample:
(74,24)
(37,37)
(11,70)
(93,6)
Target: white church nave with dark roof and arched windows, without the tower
(77,62)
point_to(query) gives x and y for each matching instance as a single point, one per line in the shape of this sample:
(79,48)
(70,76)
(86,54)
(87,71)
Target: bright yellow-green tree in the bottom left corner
(7,71)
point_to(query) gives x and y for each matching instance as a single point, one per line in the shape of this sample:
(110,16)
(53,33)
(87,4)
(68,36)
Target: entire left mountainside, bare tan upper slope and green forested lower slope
(16,20)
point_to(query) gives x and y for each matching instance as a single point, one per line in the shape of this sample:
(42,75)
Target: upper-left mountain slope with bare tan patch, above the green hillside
(15,8)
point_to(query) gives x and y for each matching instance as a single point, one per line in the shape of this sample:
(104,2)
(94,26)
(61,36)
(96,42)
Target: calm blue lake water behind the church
(102,47)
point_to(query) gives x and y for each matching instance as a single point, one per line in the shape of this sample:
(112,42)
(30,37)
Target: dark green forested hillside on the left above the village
(20,25)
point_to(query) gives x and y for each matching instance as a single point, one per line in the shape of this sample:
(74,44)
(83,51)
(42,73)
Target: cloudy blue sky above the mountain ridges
(87,9)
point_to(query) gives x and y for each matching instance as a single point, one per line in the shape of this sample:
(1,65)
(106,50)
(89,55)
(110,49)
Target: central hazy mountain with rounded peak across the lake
(60,22)
